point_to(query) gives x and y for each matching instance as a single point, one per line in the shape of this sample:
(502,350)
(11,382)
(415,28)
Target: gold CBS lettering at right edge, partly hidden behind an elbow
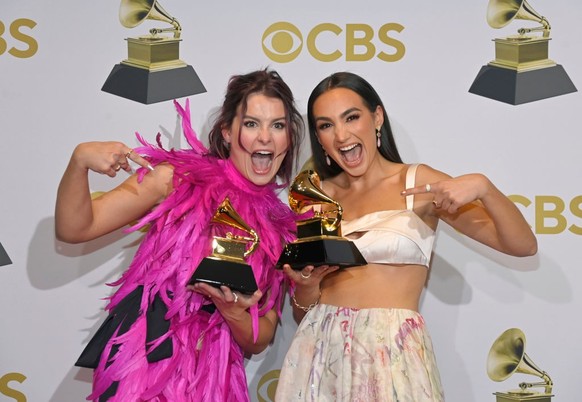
(552,212)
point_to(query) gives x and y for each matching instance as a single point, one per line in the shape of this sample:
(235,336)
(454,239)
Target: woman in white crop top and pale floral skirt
(361,337)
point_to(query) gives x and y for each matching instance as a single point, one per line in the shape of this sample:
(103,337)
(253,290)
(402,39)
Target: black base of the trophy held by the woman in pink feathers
(218,272)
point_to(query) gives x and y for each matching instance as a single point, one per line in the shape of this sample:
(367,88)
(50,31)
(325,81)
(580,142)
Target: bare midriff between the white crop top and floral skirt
(375,286)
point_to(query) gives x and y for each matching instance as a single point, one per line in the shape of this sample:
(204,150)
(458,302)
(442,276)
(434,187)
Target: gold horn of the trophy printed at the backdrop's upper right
(501,12)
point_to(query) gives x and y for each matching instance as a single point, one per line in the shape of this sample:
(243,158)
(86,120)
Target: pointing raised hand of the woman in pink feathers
(106,157)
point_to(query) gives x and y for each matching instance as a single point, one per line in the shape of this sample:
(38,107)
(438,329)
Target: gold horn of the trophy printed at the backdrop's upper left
(134,12)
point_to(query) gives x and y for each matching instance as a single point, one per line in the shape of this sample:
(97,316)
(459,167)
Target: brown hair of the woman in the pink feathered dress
(270,84)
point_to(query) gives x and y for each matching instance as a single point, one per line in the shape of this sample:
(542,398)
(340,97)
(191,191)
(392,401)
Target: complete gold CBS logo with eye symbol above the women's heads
(282,42)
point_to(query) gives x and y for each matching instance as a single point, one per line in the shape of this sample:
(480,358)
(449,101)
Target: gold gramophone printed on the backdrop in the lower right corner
(506,357)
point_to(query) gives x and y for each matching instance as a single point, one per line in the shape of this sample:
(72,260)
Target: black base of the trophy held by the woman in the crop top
(324,251)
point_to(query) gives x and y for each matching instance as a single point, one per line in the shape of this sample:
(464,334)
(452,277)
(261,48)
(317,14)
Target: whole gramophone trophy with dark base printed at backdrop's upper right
(522,71)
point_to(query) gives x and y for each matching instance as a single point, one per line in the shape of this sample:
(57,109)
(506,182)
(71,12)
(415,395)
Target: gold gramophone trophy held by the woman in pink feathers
(226,264)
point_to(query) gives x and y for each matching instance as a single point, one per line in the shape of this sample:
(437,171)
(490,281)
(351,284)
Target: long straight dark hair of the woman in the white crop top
(371,99)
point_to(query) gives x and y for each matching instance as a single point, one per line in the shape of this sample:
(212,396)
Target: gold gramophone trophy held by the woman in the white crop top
(319,238)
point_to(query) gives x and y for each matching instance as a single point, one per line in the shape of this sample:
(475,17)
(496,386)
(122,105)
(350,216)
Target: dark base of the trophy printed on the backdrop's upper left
(147,87)
